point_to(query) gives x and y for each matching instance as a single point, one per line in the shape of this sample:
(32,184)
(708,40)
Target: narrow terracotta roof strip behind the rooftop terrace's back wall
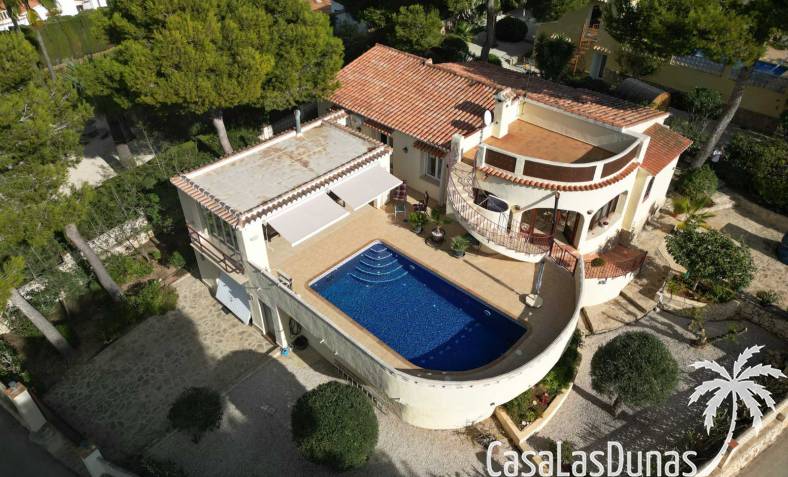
(582,102)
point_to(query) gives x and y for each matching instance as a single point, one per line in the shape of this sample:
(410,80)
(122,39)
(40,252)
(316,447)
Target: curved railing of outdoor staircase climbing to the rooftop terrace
(460,189)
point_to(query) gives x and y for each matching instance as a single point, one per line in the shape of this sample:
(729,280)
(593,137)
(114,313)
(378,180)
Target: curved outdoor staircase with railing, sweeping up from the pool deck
(510,241)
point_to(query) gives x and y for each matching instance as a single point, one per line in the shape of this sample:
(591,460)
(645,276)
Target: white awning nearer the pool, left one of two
(308,218)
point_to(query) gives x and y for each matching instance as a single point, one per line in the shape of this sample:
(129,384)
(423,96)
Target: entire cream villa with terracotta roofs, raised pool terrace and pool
(305,236)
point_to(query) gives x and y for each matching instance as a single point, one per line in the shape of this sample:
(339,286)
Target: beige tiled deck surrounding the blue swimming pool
(495,279)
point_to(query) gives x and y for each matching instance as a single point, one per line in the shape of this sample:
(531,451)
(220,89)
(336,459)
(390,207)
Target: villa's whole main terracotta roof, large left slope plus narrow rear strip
(433,102)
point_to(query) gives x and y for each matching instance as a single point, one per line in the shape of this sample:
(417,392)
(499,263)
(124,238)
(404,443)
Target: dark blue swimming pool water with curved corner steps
(424,318)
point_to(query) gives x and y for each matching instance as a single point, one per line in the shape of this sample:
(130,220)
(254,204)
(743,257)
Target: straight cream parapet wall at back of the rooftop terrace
(584,130)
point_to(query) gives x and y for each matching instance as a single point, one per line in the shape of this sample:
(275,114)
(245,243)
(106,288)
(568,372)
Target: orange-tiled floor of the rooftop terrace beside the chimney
(527,139)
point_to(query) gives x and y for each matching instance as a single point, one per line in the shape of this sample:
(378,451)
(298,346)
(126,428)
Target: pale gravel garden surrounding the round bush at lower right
(585,419)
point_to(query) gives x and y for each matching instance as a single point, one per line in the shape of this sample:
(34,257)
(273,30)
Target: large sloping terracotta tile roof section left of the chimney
(408,93)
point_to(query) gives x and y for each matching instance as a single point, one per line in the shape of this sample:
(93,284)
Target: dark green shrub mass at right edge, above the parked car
(758,165)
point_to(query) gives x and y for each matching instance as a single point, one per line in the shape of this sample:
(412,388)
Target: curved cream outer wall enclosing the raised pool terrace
(428,403)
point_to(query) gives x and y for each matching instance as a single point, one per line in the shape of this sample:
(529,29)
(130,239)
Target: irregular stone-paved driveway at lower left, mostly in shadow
(121,397)
